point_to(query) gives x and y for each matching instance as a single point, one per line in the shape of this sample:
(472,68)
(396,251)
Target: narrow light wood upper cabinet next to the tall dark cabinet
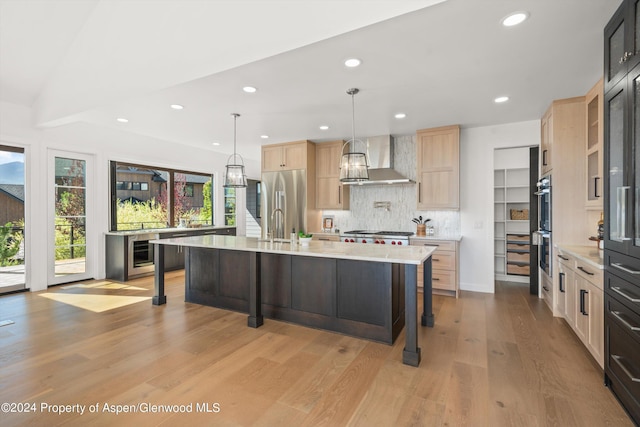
(595,135)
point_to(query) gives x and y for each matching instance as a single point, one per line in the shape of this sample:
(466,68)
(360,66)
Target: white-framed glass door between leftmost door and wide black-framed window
(70,242)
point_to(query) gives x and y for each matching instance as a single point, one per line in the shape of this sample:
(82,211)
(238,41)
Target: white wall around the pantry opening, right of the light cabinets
(477,147)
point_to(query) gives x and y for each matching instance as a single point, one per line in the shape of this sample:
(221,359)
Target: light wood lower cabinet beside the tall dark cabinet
(584,302)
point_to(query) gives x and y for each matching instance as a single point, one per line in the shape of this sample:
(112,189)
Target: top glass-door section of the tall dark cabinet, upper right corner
(622,43)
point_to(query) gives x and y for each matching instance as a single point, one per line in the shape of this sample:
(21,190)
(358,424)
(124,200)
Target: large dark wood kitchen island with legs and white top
(367,291)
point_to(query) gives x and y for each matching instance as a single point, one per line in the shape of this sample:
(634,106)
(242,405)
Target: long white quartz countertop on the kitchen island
(316,248)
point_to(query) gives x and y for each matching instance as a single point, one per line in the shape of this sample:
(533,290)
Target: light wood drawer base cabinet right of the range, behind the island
(444,265)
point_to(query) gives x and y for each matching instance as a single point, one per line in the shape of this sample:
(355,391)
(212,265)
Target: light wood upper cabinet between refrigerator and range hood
(330,193)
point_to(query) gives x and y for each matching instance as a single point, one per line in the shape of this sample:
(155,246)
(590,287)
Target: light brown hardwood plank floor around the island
(490,360)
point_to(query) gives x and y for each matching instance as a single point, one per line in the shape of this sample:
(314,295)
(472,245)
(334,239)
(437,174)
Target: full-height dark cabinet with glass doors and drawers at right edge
(622,206)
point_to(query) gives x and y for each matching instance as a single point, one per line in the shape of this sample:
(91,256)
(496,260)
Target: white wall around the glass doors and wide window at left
(103,145)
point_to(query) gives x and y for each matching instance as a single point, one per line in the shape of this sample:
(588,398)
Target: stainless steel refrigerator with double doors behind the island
(284,203)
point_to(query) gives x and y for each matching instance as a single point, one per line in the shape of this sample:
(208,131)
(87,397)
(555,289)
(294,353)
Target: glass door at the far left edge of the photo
(12,197)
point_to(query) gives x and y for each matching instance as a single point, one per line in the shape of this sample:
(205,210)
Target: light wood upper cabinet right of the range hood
(438,168)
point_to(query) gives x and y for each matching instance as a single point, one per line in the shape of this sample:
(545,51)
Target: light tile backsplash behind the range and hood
(396,203)
